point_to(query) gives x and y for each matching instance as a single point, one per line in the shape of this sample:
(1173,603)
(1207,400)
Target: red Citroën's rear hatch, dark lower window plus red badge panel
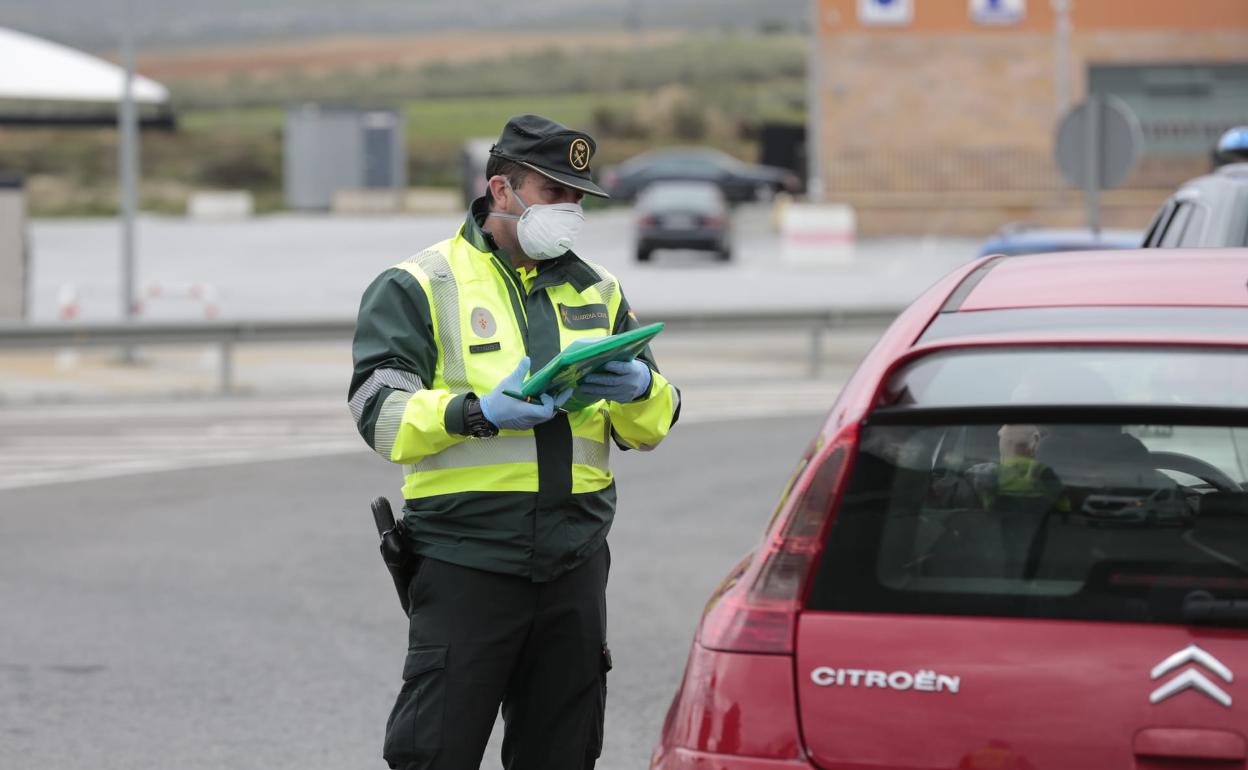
(978,605)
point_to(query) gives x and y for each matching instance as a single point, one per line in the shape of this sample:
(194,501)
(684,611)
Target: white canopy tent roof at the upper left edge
(33,69)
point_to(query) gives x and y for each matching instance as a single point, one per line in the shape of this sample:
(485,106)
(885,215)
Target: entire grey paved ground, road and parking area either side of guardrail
(193,582)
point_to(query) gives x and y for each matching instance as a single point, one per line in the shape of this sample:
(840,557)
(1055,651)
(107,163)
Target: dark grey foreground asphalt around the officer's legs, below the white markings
(236,616)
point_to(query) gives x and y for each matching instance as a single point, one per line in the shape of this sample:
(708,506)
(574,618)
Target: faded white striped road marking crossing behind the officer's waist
(53,445)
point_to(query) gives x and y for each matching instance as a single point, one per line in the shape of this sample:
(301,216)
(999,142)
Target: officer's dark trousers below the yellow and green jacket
(480,641)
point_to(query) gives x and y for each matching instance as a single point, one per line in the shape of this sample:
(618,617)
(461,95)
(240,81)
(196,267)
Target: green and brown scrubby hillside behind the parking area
(713,90)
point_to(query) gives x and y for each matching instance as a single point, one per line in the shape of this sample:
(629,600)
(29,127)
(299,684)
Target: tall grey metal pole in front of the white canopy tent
(128,164)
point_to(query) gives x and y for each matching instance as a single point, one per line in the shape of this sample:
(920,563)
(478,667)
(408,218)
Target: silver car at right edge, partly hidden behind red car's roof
(1209,212)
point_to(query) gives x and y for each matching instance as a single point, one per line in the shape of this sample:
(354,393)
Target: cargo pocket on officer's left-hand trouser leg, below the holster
(414,733)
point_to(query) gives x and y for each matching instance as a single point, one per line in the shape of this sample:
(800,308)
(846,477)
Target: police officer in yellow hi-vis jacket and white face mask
(509,504)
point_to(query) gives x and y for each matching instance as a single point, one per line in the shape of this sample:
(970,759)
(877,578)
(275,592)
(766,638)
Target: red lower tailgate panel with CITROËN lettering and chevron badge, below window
(929,692)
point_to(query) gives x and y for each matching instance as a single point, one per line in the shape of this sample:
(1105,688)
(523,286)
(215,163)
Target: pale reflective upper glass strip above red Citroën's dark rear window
(1214,378)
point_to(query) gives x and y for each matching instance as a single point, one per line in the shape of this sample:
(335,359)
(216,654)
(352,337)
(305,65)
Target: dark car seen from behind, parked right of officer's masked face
(683,215)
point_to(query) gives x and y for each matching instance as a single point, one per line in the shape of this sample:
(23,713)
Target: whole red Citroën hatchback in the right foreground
(1019,542)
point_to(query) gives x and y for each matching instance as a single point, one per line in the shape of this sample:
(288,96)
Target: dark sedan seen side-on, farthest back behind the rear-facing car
(738,180)
